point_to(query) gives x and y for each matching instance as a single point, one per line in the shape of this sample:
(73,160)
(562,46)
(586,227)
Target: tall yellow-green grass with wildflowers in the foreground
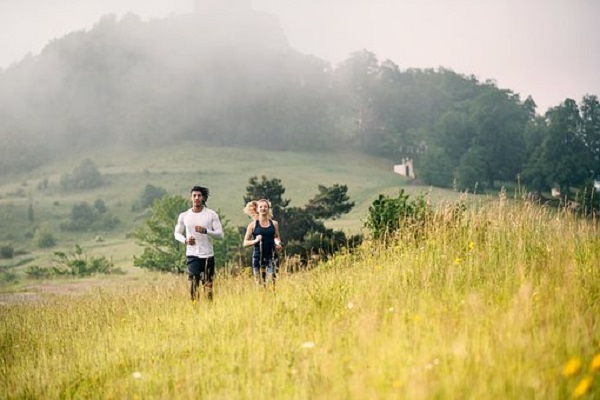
(498,302)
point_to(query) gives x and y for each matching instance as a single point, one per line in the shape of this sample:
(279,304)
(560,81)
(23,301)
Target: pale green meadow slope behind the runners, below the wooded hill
(225,171)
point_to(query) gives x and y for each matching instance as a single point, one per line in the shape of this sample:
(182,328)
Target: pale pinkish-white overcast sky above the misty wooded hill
(547,49)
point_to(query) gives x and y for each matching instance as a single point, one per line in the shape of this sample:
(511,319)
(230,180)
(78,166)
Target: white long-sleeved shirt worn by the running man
(185,227)
